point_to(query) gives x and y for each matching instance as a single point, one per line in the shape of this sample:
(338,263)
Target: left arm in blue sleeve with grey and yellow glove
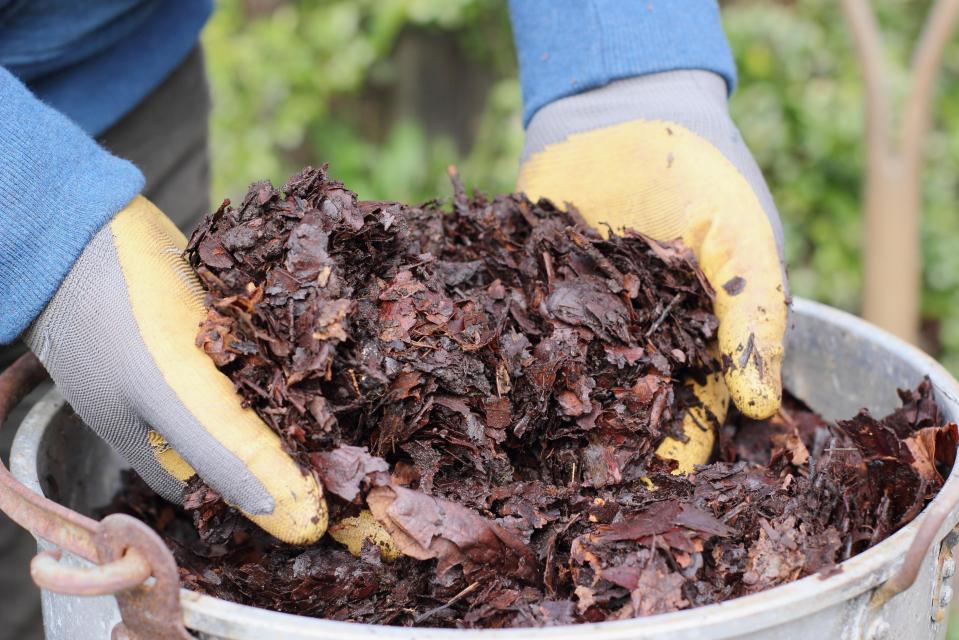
(92,277)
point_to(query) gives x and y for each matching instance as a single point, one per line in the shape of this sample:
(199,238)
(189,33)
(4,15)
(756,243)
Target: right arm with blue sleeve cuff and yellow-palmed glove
(625,108)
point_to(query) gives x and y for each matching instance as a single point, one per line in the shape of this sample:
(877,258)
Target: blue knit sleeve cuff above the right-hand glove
(568,46)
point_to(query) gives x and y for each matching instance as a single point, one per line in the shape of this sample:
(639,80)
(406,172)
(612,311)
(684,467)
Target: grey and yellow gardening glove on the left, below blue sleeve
(118,340)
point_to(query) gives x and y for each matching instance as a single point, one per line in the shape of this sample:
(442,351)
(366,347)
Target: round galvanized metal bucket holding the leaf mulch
(836,362)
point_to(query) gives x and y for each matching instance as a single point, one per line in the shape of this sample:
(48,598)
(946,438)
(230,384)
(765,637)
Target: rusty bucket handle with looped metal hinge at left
(125,551)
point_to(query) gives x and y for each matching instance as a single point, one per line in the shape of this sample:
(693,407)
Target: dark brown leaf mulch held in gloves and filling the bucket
(492,383)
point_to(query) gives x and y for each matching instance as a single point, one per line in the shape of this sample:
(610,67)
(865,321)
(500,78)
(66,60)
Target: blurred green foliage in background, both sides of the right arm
(304,81)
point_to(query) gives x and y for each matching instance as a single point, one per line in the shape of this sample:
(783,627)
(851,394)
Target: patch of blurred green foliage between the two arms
(292,82)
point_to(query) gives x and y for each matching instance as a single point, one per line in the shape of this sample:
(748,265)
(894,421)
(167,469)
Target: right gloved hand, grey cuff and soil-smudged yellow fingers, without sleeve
(659,154)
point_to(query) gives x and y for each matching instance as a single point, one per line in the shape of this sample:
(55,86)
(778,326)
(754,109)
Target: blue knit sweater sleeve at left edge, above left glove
(57,188)
